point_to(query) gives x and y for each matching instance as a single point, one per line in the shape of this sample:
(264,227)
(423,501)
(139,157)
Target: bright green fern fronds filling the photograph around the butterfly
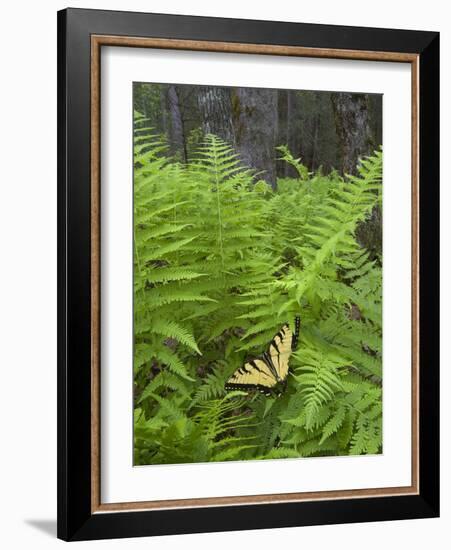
(220,263)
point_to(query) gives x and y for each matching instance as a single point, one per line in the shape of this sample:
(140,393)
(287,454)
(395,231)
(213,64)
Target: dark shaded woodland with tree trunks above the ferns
(327,130)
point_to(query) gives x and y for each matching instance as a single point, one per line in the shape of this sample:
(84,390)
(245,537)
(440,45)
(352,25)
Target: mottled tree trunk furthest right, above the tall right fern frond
(352,123)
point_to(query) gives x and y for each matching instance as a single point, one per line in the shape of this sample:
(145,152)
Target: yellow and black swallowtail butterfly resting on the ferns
(268,373)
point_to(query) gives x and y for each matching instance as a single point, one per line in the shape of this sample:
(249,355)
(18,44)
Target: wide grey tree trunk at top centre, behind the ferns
(255,123)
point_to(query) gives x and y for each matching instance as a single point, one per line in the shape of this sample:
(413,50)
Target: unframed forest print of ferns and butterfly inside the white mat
(257,270)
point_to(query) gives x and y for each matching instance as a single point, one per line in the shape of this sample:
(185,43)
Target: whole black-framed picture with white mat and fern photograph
(248,274)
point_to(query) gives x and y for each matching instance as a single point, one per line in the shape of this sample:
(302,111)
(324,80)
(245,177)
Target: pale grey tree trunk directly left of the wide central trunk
(215,107)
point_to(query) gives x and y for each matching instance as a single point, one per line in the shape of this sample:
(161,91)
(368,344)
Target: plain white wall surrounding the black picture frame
(28,271)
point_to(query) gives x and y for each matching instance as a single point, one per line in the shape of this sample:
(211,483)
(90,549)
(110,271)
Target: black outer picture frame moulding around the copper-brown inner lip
(76,520)
